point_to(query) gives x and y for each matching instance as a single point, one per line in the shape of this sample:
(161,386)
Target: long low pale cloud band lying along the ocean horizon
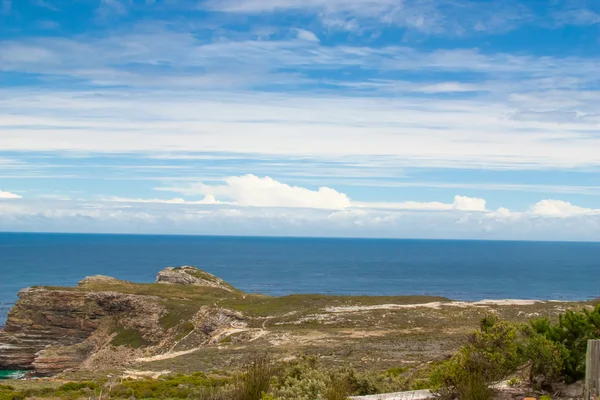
(187,217)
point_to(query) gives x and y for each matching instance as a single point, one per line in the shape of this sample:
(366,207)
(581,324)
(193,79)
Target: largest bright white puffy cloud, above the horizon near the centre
(254,191)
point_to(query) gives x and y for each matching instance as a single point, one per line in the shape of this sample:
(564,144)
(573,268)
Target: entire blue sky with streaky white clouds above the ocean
(353,118)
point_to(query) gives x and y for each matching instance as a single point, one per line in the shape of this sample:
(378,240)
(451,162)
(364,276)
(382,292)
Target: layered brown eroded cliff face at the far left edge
(48,330)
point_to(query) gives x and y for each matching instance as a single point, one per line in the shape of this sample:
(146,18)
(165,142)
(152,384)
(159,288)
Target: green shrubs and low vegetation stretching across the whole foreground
(541,352)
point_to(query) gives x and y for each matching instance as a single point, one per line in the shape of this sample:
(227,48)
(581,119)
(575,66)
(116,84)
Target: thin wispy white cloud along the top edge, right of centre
(439,17)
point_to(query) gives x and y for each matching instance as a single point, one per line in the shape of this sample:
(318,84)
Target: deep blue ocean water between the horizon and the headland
(461,270)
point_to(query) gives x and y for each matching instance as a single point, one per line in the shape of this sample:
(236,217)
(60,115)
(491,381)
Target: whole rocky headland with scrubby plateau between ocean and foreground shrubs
(190,319)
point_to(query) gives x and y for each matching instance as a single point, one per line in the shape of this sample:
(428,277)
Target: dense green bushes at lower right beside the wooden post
(544,351)
